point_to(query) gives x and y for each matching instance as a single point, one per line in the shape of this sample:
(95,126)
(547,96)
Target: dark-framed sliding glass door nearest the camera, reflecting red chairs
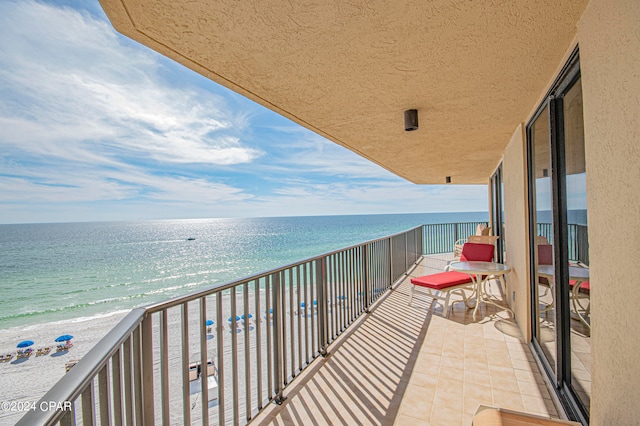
(560,284)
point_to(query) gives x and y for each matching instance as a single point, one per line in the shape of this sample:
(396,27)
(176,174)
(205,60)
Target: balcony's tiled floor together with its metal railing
(273,354)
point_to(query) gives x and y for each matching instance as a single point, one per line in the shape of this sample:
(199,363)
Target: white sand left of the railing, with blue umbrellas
(28,379)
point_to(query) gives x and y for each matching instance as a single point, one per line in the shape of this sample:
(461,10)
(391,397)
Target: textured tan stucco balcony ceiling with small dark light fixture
(348,69)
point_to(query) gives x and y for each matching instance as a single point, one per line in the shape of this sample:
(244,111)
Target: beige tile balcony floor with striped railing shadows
(402,365)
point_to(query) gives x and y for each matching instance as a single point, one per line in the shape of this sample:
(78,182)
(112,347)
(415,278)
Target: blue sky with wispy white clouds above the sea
(96,127)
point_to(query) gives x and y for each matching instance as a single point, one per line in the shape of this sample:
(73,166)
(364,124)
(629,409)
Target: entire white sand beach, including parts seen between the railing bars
(28,379)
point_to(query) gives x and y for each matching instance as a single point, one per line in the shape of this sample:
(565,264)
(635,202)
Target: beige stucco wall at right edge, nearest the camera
(609,40)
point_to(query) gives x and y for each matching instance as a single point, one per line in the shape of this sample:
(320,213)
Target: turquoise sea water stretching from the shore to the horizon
(52,272)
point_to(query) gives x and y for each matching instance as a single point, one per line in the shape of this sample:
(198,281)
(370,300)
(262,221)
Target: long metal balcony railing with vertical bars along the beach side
(221,354)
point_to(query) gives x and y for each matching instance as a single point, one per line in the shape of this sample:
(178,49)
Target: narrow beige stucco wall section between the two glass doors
(516,233)
